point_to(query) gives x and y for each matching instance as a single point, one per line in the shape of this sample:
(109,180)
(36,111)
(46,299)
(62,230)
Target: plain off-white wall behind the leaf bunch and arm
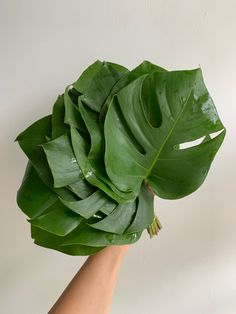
(191,266)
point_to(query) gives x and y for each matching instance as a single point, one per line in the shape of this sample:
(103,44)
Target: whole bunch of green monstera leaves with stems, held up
(116,138)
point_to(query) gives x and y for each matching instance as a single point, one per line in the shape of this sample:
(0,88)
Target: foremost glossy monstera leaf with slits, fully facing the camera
(187,113)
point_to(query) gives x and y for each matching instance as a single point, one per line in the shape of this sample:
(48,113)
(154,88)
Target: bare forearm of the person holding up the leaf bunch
(91,289)
